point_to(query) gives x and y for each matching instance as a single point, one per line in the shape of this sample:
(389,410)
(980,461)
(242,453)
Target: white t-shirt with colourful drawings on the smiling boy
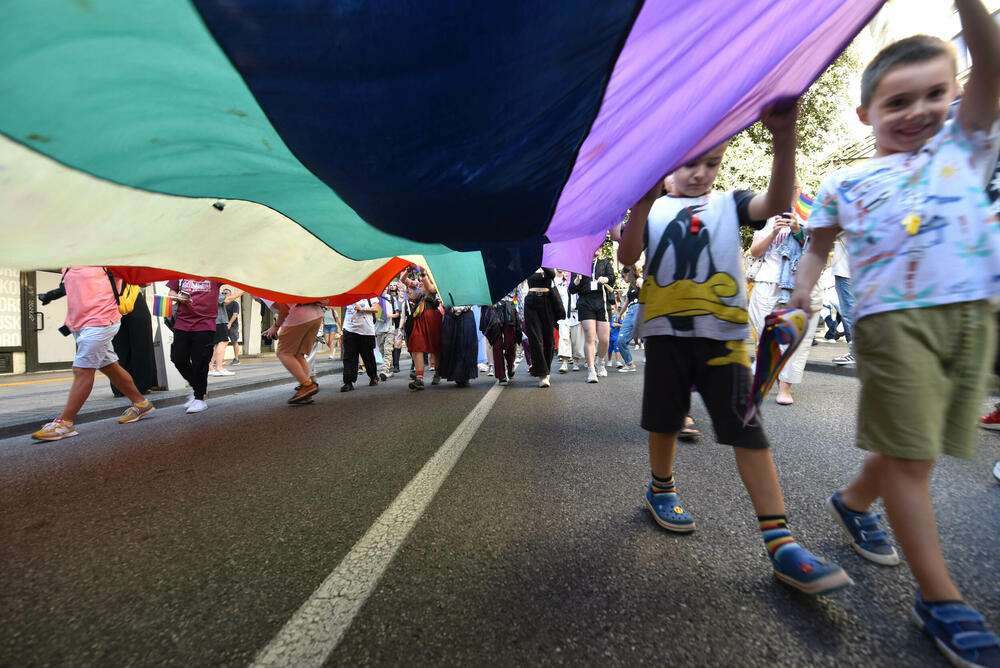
(954,254)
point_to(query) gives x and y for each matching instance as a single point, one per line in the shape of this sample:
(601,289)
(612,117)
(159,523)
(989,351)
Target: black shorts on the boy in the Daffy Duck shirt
(720,370)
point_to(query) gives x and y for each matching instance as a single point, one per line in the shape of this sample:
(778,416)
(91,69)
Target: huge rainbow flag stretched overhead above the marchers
(314,148)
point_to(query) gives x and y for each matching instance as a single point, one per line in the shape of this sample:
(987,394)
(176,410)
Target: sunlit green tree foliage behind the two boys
(820,127)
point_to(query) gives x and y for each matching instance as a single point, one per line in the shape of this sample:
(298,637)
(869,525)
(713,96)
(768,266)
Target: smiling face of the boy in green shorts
(909,105)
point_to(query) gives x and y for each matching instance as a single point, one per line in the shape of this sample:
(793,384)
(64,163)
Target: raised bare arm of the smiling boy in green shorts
(979,106)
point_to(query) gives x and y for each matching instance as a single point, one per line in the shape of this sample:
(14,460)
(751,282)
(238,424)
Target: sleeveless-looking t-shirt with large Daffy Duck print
(694,282)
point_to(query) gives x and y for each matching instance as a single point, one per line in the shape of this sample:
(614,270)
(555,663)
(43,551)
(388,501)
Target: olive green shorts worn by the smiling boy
(923,374)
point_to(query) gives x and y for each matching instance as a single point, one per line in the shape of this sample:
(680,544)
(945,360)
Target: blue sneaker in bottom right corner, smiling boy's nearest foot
(959,632)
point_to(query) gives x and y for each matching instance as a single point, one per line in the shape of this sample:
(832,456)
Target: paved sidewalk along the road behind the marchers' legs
(27,401)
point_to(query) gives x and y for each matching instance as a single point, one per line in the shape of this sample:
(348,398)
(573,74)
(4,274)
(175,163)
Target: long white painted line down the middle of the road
(314,631)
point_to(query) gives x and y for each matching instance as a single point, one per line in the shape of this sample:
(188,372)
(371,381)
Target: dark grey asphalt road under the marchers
(193,540)
